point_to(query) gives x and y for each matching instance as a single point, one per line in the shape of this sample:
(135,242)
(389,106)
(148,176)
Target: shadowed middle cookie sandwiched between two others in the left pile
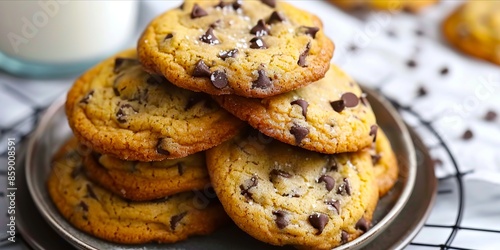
(141,181)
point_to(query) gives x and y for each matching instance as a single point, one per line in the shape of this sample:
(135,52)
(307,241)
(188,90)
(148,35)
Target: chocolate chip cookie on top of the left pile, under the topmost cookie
(119,109)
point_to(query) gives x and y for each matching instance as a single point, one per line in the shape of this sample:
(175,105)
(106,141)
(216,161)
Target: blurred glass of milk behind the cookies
(46,38)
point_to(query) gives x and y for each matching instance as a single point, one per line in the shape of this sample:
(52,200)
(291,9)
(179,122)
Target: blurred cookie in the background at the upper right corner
(474,29)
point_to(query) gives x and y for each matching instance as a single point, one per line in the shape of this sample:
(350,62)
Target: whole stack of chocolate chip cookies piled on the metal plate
(226,110)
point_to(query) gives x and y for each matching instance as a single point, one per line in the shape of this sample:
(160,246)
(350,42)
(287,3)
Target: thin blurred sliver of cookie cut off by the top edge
(386,5)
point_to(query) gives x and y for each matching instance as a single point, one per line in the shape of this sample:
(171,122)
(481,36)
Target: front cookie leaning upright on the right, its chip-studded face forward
(285,195)
